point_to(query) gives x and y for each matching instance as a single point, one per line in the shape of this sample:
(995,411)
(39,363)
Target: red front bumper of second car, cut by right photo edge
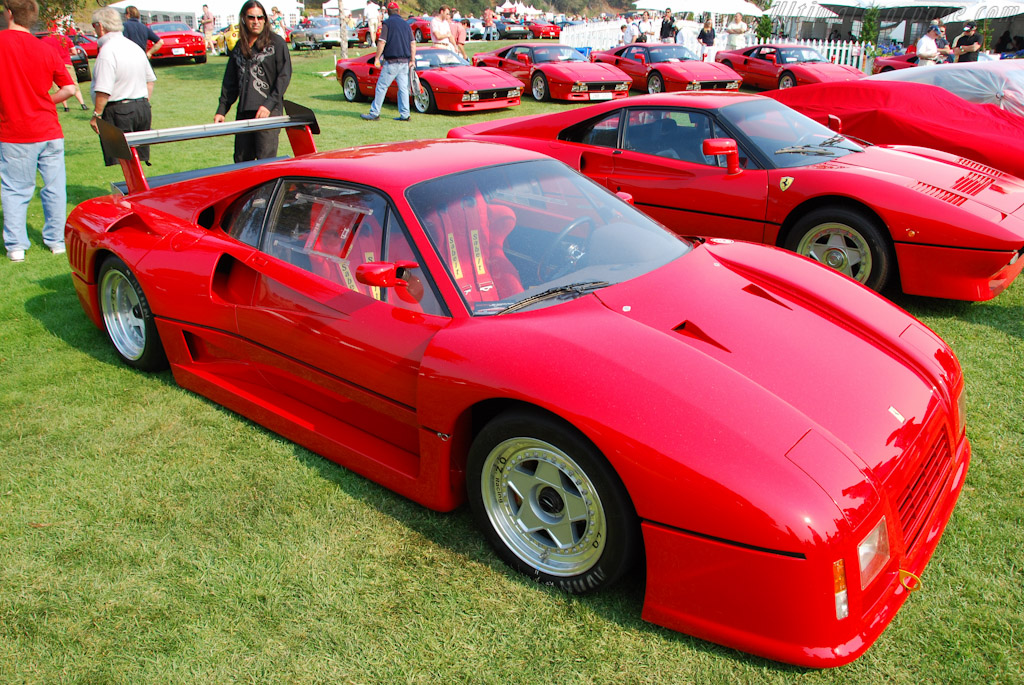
(957,274)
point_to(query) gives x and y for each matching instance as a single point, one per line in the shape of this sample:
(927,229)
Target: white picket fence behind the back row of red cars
(605,35)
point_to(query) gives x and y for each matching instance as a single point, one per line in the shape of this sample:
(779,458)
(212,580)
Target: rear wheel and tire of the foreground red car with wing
(129,319)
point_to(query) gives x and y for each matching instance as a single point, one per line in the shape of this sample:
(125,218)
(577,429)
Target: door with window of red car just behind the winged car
(662,165)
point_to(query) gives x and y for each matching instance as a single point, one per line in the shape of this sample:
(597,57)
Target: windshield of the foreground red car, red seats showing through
(536,234)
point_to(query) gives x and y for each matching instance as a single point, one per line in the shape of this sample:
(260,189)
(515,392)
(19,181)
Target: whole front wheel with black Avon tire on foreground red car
(573,526)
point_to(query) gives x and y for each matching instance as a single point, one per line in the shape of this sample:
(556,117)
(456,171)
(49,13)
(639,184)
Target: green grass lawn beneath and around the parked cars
(148,535)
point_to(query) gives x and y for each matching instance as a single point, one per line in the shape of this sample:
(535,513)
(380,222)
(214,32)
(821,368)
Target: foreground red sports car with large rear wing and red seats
(464,322)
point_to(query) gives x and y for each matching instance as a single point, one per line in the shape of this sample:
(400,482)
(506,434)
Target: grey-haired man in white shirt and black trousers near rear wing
(122,81)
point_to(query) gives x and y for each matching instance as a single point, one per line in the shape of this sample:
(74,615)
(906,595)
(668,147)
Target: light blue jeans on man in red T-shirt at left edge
(19,163)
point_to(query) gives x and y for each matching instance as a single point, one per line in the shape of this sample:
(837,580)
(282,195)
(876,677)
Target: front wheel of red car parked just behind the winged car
(849,241)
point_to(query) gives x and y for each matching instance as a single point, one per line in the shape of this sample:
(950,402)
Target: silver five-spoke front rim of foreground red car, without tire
(544,507)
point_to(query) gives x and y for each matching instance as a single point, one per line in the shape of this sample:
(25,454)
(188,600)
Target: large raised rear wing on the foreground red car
(300,123)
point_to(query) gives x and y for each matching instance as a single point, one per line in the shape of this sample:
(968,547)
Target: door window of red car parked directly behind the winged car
(674,135)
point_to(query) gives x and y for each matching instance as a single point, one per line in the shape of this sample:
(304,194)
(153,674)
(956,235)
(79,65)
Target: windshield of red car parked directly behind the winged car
(785,137)
